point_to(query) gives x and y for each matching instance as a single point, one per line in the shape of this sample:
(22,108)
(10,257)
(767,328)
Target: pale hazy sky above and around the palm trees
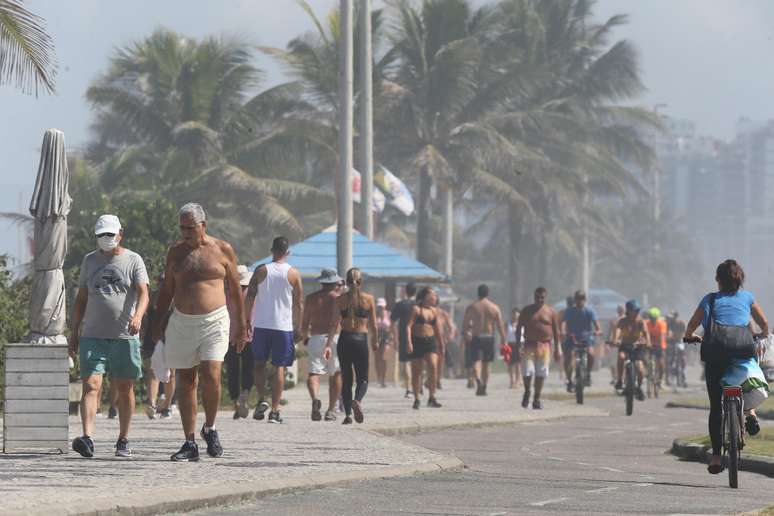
(708,61)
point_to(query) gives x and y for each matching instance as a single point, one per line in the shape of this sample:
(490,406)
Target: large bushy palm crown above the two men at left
(175,116)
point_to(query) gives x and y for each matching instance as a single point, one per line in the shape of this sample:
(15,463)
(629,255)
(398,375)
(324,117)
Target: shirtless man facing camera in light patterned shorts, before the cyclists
(539,326)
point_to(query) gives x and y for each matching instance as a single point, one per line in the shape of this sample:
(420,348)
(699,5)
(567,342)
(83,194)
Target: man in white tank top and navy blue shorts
(276,296)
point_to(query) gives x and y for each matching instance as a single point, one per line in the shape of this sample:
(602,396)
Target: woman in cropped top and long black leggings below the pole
(355,311)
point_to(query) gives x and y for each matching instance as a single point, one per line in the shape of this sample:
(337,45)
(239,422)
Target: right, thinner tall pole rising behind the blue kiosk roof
(366,120)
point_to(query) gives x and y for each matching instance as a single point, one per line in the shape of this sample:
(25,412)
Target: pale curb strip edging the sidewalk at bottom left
(236,494)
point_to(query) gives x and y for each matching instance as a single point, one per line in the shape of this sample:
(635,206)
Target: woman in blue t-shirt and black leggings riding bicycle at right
(730,306)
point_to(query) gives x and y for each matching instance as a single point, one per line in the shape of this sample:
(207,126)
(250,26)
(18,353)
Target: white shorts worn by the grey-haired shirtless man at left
(191,339)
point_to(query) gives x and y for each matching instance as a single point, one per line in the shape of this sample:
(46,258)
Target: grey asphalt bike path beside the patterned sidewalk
(602,465)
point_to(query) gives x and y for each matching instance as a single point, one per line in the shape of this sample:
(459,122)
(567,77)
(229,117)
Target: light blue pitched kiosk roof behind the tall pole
(375,260)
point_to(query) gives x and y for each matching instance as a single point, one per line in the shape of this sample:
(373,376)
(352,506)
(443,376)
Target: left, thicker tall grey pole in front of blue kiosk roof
(344,208)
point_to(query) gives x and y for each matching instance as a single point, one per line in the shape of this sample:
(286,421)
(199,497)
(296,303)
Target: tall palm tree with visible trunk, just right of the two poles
(441,100)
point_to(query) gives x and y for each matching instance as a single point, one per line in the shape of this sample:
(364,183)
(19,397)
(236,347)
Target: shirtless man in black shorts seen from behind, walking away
(482,319)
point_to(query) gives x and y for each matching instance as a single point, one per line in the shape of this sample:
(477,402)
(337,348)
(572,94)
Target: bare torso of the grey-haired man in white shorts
(198,274)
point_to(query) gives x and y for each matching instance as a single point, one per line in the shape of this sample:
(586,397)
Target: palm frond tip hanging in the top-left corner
(26,51)
